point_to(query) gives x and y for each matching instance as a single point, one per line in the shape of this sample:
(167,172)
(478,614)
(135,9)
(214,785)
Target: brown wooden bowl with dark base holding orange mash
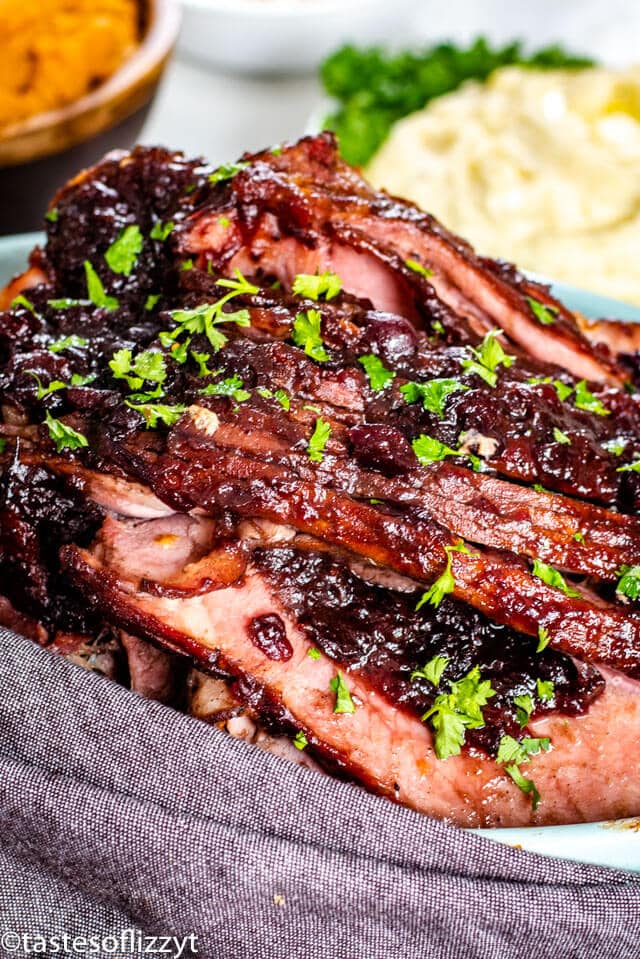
(39,154)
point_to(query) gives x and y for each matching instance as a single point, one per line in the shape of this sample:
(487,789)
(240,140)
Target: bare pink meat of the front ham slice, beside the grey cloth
(380,744)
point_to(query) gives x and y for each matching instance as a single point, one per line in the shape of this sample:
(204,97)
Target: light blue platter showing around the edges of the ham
(615,843)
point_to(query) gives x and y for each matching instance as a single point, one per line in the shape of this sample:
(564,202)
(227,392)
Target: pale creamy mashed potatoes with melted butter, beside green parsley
(539,167)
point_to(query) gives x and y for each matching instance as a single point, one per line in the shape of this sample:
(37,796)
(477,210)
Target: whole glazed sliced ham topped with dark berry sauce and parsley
(391,520)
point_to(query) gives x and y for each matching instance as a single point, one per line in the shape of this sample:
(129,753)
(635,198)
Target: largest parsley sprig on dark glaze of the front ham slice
(458,710)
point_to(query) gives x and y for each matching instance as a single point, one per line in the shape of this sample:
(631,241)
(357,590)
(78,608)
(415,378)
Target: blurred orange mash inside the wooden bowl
(54,51)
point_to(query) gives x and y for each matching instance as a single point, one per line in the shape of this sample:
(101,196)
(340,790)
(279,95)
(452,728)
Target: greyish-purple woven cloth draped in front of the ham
(119,813)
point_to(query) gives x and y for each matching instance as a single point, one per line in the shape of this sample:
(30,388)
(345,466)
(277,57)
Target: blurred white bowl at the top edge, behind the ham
(286,36)
